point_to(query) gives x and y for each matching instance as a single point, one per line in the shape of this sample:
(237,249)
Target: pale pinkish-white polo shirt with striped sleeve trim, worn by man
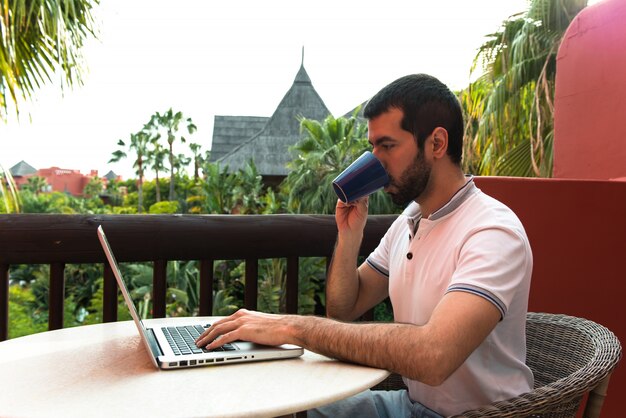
(472,244)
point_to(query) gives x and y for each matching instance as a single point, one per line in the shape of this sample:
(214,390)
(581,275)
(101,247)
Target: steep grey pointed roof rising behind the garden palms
(270,147)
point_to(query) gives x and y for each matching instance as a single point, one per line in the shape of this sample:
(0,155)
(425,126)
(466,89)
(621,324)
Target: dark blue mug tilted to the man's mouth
(362,178)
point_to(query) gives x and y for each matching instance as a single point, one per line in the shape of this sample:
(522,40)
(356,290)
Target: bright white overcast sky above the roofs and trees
(239,57)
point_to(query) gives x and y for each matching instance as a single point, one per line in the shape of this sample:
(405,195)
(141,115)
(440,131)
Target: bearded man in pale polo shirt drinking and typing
(456,265)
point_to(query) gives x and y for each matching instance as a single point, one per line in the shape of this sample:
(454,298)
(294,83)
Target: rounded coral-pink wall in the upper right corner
(590,97)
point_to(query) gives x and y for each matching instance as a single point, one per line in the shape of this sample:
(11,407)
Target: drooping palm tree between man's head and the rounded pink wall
(510,107)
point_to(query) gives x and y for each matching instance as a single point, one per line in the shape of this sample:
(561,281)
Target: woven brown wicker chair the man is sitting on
(569,357)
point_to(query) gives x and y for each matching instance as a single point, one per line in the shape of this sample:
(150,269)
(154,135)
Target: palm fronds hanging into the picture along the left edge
(35,42)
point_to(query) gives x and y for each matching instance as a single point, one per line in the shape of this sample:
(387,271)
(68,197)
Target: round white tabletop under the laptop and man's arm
(103,370)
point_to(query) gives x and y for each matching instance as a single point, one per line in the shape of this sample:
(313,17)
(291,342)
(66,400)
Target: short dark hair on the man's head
(426,104)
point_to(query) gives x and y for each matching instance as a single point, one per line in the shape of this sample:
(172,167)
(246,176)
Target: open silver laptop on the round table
(171,345)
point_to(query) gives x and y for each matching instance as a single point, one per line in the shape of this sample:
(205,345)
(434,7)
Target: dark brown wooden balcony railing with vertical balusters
(58,240)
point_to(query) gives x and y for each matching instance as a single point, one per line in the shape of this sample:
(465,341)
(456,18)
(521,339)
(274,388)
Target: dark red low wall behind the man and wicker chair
(577,231)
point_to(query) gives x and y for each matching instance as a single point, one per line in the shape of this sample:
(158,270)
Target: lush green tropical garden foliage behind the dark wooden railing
(217,190)
